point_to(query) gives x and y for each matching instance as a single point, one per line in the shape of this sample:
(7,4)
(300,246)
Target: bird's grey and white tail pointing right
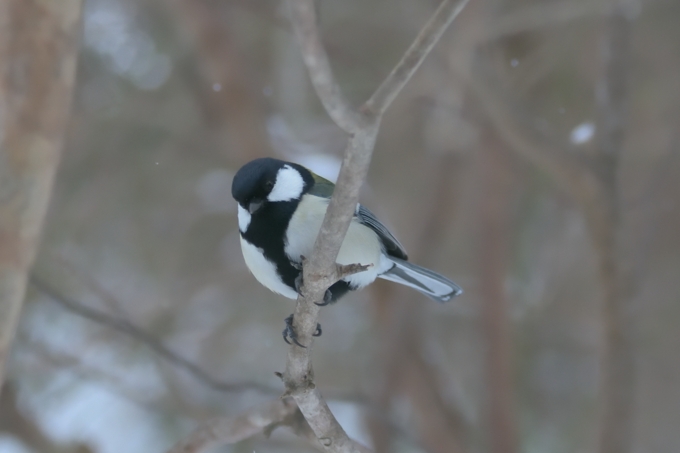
(430,283)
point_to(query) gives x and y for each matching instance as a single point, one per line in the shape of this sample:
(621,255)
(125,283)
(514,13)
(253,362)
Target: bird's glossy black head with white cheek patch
(269,180)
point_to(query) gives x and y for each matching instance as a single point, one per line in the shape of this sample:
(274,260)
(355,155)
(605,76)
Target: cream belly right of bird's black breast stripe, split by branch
(361,245)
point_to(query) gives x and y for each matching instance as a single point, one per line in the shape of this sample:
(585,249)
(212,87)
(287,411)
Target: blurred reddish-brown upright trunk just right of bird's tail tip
(495,227)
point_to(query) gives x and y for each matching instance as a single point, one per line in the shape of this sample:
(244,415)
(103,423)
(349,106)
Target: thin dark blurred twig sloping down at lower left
(126,327)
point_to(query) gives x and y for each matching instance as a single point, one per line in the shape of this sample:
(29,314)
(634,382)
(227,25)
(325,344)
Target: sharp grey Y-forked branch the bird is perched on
(320,272)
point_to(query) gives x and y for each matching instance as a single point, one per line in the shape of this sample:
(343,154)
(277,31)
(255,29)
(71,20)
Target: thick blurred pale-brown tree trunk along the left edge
(38,52)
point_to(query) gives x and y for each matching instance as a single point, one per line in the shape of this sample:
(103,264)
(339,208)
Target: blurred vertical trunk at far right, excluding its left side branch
(617,390)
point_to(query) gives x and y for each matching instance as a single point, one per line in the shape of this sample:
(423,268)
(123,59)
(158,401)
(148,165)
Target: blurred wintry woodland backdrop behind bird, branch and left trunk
(512,163)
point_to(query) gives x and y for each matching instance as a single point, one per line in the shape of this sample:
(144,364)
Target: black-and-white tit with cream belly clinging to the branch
(281,206)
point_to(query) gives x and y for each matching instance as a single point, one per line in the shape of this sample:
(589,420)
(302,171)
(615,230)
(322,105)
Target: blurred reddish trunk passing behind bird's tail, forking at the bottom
(403,371)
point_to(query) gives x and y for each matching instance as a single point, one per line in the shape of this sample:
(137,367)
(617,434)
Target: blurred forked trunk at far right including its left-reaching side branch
(594,185)
